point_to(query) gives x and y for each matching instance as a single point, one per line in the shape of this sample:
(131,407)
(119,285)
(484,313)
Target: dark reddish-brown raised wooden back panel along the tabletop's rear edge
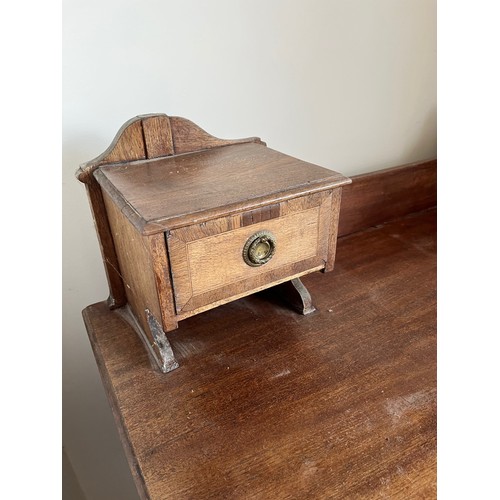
(384,195)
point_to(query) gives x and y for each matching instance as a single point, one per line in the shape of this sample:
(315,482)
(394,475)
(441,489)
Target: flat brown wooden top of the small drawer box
(169,192)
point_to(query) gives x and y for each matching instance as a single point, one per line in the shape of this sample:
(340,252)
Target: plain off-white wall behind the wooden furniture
(348,84)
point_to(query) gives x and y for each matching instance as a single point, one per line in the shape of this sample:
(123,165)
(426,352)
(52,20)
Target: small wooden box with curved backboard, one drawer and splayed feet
(188,222)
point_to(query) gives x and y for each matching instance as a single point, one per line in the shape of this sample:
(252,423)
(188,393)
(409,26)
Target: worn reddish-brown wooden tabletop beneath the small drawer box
(268,404)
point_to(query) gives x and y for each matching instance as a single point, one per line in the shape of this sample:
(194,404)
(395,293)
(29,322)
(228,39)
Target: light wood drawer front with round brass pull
(208,261)
